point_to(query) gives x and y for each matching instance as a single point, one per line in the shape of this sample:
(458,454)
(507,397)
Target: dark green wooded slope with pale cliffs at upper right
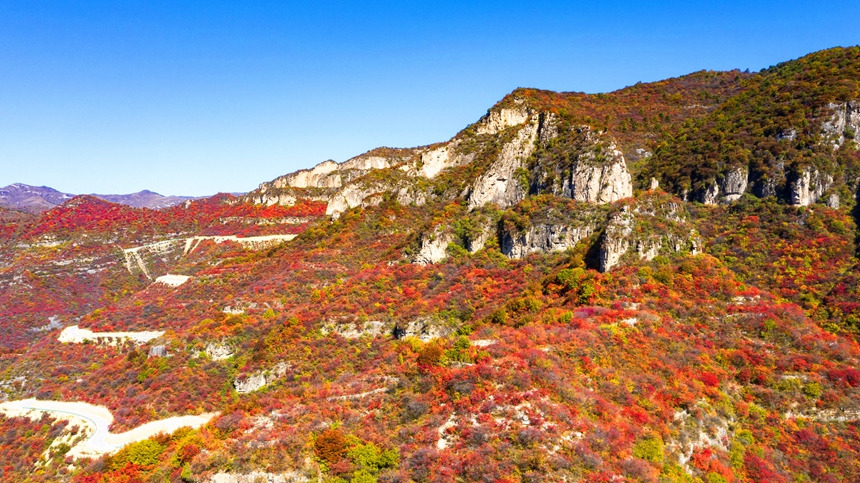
(792,133)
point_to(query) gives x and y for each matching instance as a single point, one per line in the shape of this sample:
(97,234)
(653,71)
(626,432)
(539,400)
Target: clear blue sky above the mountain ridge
(199,97)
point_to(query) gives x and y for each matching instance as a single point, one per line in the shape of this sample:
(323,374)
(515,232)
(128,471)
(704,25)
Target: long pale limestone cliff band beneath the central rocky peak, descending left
(502,144)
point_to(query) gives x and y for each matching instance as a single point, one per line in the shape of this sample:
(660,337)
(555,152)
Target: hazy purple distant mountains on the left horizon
(35,199)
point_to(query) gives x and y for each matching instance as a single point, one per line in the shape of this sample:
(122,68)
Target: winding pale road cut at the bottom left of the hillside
(95,421)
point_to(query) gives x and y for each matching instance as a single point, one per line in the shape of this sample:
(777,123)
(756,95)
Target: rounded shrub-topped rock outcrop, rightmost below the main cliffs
(645,229)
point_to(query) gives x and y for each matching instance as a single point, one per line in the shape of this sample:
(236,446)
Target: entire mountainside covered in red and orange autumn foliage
(656,284)
